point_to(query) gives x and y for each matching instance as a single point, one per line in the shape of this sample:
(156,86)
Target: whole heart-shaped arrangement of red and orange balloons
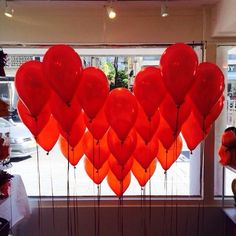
(125,131)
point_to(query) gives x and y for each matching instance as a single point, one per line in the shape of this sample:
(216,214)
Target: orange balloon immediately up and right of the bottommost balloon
(141,174)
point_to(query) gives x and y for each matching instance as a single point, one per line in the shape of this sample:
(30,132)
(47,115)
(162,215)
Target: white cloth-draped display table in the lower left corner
(16,206)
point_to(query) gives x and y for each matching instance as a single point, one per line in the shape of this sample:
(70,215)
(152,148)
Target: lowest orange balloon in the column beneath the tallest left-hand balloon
(70,153)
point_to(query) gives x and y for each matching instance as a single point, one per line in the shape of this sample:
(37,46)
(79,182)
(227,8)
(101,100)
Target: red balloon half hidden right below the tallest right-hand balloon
(175,116)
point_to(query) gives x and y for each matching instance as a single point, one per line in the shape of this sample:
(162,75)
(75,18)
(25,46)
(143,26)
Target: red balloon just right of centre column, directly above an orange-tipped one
(146,153)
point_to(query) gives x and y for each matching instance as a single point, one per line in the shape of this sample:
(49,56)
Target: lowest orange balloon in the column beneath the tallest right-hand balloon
(168,157)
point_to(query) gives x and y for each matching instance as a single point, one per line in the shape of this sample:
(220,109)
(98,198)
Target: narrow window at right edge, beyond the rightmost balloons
(226,60)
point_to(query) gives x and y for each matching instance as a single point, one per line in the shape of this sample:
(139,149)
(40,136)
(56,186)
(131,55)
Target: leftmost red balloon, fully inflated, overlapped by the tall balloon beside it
(32,87)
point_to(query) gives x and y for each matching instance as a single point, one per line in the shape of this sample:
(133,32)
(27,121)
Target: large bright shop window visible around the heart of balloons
(182,178)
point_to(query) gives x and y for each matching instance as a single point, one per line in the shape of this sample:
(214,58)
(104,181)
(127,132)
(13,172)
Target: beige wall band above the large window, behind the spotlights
(48,22)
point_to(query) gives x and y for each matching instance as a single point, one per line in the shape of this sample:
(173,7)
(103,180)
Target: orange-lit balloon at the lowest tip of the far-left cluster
(49,135)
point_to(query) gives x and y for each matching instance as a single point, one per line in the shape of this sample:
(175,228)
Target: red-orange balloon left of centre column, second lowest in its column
(97,151)
